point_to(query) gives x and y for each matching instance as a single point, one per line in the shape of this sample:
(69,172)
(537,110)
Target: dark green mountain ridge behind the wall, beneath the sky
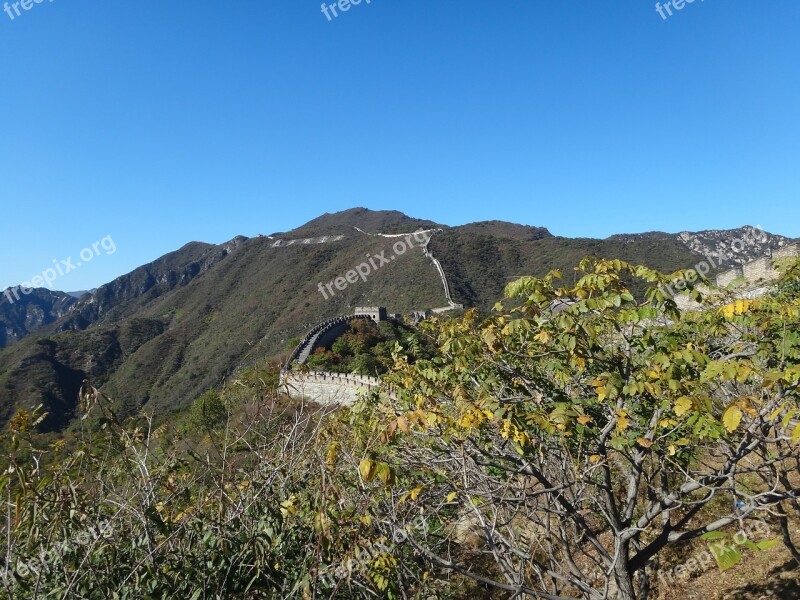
(166,332)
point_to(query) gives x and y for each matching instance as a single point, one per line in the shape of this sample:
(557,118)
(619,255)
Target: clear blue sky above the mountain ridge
(159,123)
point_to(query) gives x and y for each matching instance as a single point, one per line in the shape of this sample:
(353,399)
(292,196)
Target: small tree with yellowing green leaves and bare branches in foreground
(559,446)
